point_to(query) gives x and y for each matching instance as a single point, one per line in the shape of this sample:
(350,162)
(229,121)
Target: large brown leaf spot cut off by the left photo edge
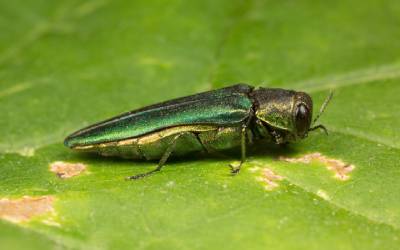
(21,210)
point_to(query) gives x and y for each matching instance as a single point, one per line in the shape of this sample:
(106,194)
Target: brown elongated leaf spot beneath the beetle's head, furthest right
(338,167)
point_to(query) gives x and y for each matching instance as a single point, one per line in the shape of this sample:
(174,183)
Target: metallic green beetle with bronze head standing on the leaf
(214,120)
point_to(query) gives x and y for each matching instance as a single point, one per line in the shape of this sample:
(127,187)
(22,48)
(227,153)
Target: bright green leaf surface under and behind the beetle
(66,64)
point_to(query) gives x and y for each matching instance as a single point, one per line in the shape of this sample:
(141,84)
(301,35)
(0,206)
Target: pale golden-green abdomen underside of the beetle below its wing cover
(153,146)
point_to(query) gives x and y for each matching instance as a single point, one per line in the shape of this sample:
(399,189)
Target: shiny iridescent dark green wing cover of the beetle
(222,107)
